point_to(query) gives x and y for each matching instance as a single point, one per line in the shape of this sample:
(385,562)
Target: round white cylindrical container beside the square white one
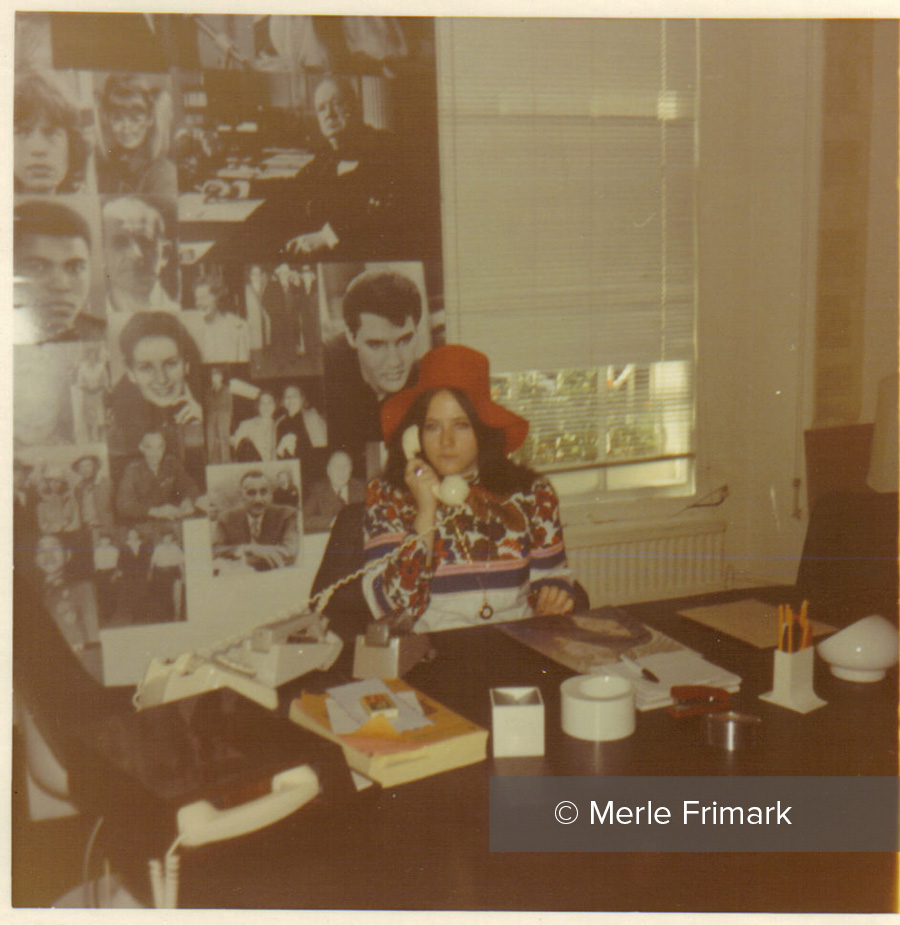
(597,708)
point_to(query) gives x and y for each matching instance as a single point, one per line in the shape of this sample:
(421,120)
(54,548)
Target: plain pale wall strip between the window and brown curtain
(759,131)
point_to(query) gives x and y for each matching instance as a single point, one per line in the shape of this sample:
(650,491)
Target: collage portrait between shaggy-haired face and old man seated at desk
(132,156)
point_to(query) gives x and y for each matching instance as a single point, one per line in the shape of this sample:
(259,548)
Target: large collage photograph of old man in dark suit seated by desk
(308,166)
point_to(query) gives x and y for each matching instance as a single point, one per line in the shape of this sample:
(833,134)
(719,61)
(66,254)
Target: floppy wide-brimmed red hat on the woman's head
(456,367)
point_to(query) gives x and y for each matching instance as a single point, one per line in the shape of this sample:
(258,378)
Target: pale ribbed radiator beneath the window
(624,564)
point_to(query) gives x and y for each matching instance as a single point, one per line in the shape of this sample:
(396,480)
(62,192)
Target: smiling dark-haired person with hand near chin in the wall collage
(156,393)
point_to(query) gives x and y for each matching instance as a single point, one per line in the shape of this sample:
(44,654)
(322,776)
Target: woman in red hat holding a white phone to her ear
(499,555)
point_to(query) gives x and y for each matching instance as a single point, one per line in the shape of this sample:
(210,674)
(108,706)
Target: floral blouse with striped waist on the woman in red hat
(491,555)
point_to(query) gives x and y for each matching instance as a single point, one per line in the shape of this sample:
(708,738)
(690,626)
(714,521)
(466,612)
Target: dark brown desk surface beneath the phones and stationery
(425,845)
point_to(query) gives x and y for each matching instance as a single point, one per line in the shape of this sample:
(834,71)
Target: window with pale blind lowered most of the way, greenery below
(568,163)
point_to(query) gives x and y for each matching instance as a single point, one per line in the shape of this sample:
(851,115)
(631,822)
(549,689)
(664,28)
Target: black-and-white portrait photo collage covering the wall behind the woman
(226,255)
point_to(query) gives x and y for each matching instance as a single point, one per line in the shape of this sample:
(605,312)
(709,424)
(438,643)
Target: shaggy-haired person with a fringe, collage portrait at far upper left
(49,150)
